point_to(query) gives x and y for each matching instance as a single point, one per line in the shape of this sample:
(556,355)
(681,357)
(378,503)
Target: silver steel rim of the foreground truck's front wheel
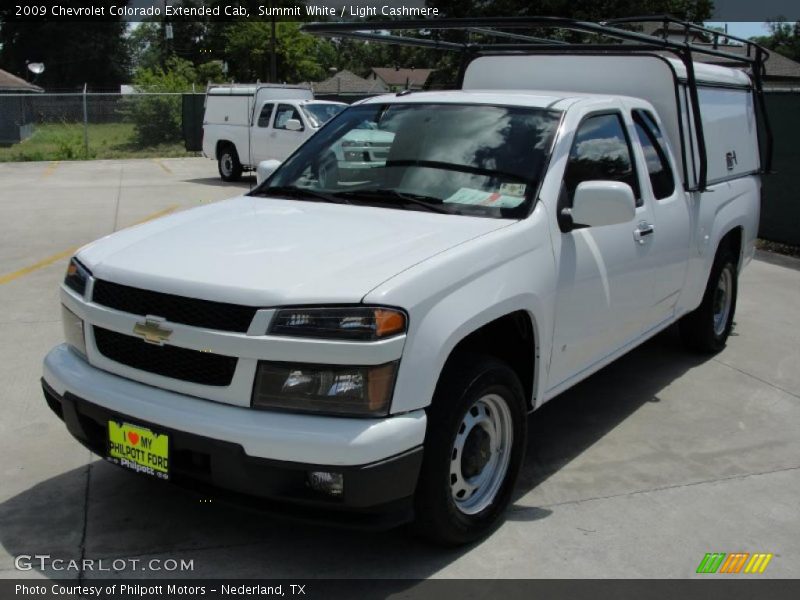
(486,429)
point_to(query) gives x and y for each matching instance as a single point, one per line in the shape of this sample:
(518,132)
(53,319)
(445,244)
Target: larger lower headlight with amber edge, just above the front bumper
(337,390)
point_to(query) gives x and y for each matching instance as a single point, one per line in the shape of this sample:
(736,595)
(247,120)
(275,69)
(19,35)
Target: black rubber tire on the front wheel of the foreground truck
(464,383)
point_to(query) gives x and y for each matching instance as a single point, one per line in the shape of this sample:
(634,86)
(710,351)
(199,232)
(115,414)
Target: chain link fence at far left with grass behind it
(70,126)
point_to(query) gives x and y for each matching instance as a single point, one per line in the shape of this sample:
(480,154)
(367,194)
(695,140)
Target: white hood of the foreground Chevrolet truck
(269,252)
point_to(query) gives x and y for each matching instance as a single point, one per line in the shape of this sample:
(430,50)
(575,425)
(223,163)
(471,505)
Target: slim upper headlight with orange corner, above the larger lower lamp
(347,322)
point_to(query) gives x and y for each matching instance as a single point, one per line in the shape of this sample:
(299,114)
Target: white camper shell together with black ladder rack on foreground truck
(702,106)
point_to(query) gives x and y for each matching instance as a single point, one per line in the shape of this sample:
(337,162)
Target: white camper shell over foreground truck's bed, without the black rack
(726,100)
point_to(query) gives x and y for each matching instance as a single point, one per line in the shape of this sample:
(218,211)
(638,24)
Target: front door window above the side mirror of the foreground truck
(600,151)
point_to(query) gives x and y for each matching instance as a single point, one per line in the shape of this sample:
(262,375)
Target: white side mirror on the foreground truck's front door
(598,203)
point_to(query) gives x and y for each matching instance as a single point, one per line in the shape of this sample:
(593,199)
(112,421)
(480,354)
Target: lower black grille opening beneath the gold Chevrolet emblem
(170,361)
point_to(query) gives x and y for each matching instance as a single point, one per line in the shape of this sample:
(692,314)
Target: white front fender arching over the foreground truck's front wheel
(454,293)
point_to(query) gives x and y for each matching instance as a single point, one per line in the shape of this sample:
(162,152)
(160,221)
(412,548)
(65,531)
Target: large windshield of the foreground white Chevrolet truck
(480,160)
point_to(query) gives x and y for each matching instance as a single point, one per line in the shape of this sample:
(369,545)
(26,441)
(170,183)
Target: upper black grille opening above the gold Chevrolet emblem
(178,309)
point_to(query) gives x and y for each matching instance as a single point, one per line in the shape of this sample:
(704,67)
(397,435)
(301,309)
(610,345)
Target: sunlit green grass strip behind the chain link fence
(65,141)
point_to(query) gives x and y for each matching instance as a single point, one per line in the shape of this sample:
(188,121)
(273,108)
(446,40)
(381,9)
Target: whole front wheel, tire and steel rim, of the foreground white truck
(477,427)
